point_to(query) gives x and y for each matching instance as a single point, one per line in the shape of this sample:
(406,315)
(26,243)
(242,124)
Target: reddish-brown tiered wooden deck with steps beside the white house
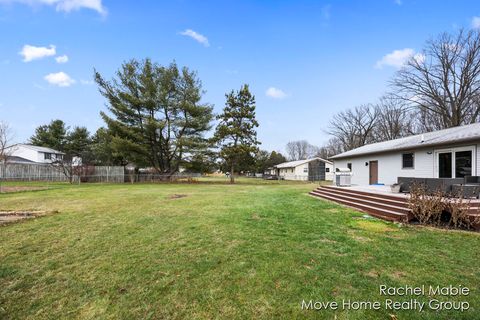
(377,201)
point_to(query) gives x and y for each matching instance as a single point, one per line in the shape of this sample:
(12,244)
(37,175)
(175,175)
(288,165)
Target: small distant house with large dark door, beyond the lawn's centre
(309,169)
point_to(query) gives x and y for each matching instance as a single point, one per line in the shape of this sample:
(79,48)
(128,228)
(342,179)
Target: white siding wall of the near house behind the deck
(390,165)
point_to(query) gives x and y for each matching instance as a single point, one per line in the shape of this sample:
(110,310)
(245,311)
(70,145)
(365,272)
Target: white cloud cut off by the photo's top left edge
(65,5)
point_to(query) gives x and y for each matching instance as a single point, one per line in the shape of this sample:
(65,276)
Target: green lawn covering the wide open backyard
(251,250)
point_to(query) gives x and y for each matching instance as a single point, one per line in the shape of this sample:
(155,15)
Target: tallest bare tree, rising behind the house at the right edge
(443,83)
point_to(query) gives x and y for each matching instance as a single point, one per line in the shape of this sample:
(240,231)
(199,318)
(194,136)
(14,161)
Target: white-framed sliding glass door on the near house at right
(455,162)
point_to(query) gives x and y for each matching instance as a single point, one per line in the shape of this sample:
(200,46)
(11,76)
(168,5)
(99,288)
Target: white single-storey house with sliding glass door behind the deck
(449,153)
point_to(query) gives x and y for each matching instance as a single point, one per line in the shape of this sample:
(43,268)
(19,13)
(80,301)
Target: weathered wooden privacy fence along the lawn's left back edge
(42,172)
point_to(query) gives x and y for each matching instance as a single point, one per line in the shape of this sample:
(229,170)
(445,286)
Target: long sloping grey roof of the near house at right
(452,135)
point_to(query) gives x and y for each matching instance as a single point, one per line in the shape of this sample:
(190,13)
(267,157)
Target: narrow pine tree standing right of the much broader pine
(236,132)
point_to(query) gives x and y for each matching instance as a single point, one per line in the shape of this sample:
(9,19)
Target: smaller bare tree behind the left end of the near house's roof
(355,127)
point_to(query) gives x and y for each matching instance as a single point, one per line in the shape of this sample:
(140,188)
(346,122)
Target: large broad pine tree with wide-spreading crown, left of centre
(156,117)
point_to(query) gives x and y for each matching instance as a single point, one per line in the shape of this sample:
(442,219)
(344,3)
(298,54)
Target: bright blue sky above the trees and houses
(304,60)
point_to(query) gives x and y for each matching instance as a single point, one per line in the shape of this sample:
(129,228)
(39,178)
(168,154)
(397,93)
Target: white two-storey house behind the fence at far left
(26,153)
